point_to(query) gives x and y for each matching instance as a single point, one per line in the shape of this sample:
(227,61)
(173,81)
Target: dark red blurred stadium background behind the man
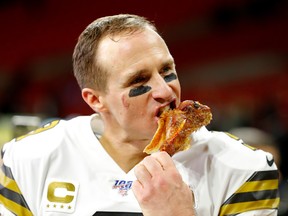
(230,55)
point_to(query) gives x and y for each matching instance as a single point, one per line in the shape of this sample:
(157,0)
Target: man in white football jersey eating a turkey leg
(95,165)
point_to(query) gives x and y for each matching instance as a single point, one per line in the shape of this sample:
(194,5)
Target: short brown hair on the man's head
(87,70)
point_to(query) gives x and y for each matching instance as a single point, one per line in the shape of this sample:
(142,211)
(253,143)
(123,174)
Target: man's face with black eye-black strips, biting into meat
(142,80)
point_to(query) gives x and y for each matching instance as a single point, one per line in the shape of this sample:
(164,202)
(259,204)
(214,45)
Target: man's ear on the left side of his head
(93,99)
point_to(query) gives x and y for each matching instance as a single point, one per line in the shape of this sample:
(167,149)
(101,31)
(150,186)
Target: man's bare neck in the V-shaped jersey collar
(125,154)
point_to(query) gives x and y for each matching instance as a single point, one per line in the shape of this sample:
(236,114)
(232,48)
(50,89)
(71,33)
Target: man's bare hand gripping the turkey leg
(159,187)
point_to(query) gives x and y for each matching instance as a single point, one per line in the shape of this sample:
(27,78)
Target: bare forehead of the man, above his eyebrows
(128,52)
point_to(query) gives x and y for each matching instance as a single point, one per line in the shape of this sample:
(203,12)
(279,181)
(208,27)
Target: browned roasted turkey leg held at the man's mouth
(175,127)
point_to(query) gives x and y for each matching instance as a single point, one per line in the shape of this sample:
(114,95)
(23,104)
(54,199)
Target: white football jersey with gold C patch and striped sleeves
(62,169)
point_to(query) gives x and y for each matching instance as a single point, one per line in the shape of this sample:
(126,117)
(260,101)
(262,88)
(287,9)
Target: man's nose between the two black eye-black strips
(162,92)
